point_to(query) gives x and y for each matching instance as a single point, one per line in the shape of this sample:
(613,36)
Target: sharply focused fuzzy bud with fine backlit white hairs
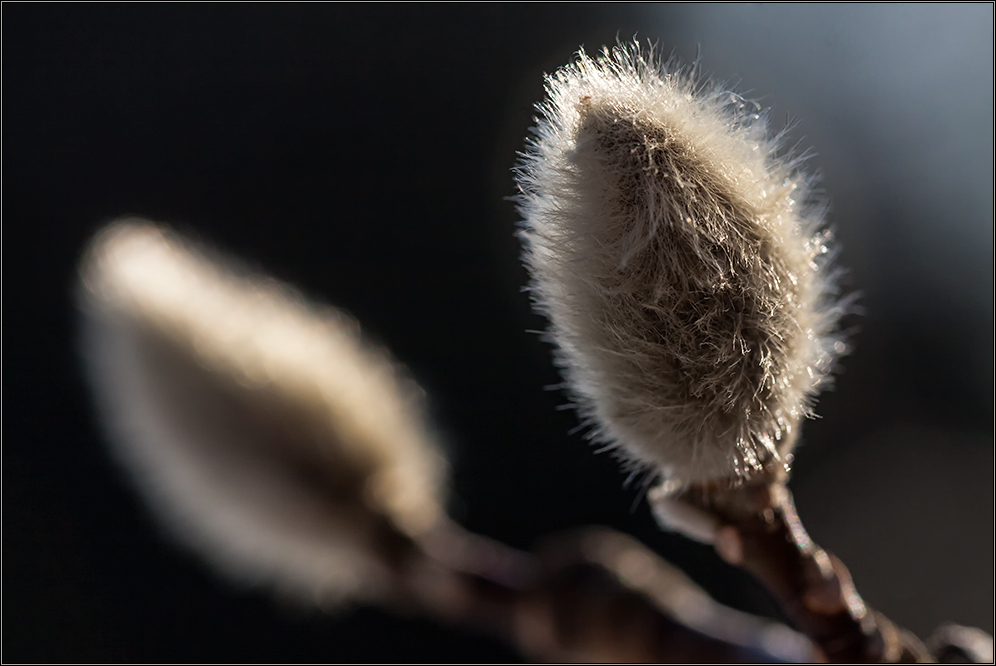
(682,265)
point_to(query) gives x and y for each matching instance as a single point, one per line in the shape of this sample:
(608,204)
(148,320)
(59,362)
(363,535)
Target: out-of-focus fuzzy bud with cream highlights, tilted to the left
(260,428)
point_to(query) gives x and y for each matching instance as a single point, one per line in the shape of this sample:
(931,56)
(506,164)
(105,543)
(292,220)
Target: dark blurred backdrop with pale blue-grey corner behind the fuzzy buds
(363,153)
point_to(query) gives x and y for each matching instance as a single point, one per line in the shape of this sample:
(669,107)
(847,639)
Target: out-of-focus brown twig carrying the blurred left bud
(591,596)
